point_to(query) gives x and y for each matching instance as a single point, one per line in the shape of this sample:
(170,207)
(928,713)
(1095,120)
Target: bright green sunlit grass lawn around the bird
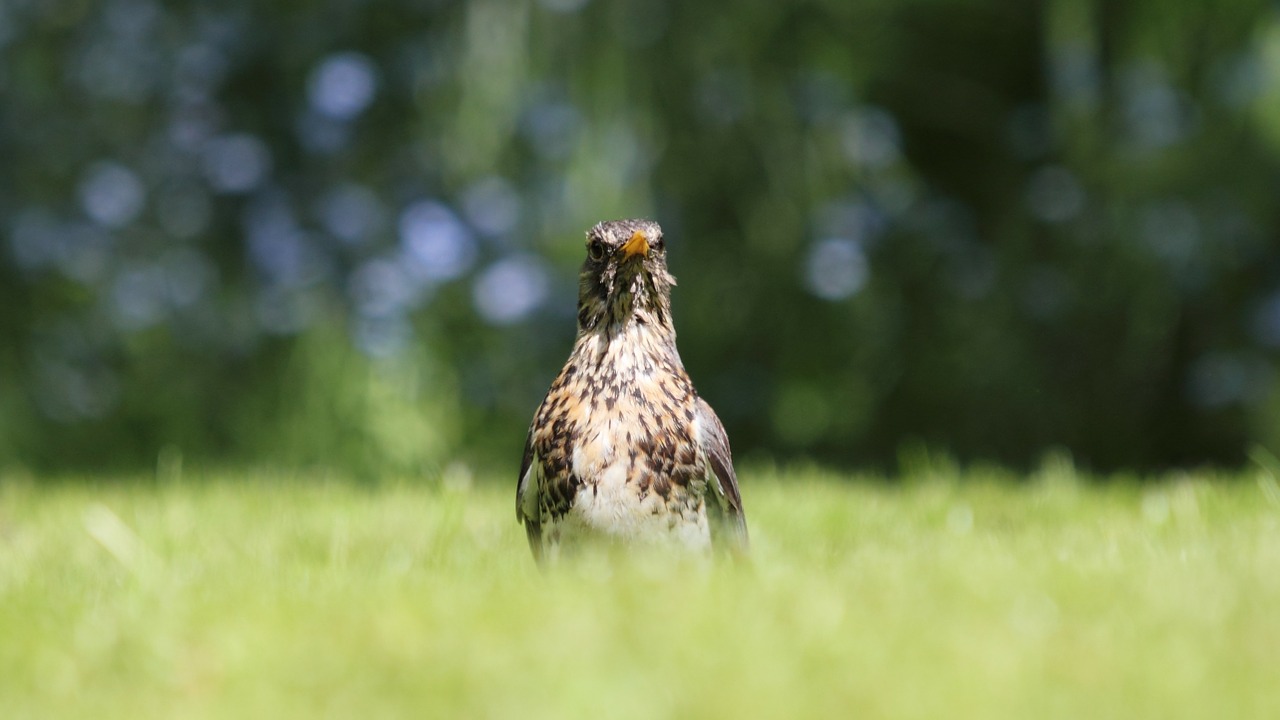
(953,595)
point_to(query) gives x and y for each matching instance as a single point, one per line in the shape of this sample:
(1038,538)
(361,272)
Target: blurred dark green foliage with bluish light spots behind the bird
(348,234)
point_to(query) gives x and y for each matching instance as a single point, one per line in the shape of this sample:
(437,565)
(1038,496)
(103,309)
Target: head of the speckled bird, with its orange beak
(625,277)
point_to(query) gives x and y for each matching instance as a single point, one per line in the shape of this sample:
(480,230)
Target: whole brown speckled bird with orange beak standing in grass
(623,452)
